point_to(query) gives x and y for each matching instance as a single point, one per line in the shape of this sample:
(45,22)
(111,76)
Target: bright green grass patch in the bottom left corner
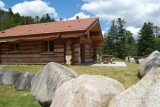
(10,97)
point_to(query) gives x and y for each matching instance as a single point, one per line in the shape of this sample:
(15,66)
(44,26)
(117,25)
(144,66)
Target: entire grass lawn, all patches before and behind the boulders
(9,97)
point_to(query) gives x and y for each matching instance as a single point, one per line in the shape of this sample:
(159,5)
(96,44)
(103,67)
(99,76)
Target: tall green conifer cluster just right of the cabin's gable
(118,41)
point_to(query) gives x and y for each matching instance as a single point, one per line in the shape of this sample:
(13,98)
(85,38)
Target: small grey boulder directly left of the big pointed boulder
(24,81)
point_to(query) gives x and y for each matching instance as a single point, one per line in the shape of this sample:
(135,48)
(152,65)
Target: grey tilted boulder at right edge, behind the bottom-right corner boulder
(148,63)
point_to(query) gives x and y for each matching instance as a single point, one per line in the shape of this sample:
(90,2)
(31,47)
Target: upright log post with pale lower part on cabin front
(68,52)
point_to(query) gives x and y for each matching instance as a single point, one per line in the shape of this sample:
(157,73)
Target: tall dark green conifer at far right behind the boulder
(146,40)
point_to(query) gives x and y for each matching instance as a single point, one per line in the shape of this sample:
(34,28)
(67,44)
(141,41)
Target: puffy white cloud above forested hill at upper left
(34,8)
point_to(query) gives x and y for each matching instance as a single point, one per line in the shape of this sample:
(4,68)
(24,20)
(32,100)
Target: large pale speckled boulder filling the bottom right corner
(146,93)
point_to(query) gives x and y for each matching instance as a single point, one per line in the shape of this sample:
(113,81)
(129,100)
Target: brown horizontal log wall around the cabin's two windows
(31,52)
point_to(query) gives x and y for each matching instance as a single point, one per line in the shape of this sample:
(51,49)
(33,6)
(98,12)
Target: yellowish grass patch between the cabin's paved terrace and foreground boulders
(126,75)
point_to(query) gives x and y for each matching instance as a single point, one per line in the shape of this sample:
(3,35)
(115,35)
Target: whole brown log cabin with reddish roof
(65,42)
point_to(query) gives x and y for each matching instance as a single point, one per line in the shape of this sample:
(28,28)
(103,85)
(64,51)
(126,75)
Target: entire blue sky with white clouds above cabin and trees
(135,12)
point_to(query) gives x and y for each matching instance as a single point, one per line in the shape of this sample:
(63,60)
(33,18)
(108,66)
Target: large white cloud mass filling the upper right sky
(135,12)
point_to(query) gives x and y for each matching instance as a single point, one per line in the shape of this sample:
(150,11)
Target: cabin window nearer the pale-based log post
(48,46)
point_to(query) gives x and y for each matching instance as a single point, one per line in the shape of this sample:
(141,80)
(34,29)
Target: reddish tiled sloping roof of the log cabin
(50,27)
